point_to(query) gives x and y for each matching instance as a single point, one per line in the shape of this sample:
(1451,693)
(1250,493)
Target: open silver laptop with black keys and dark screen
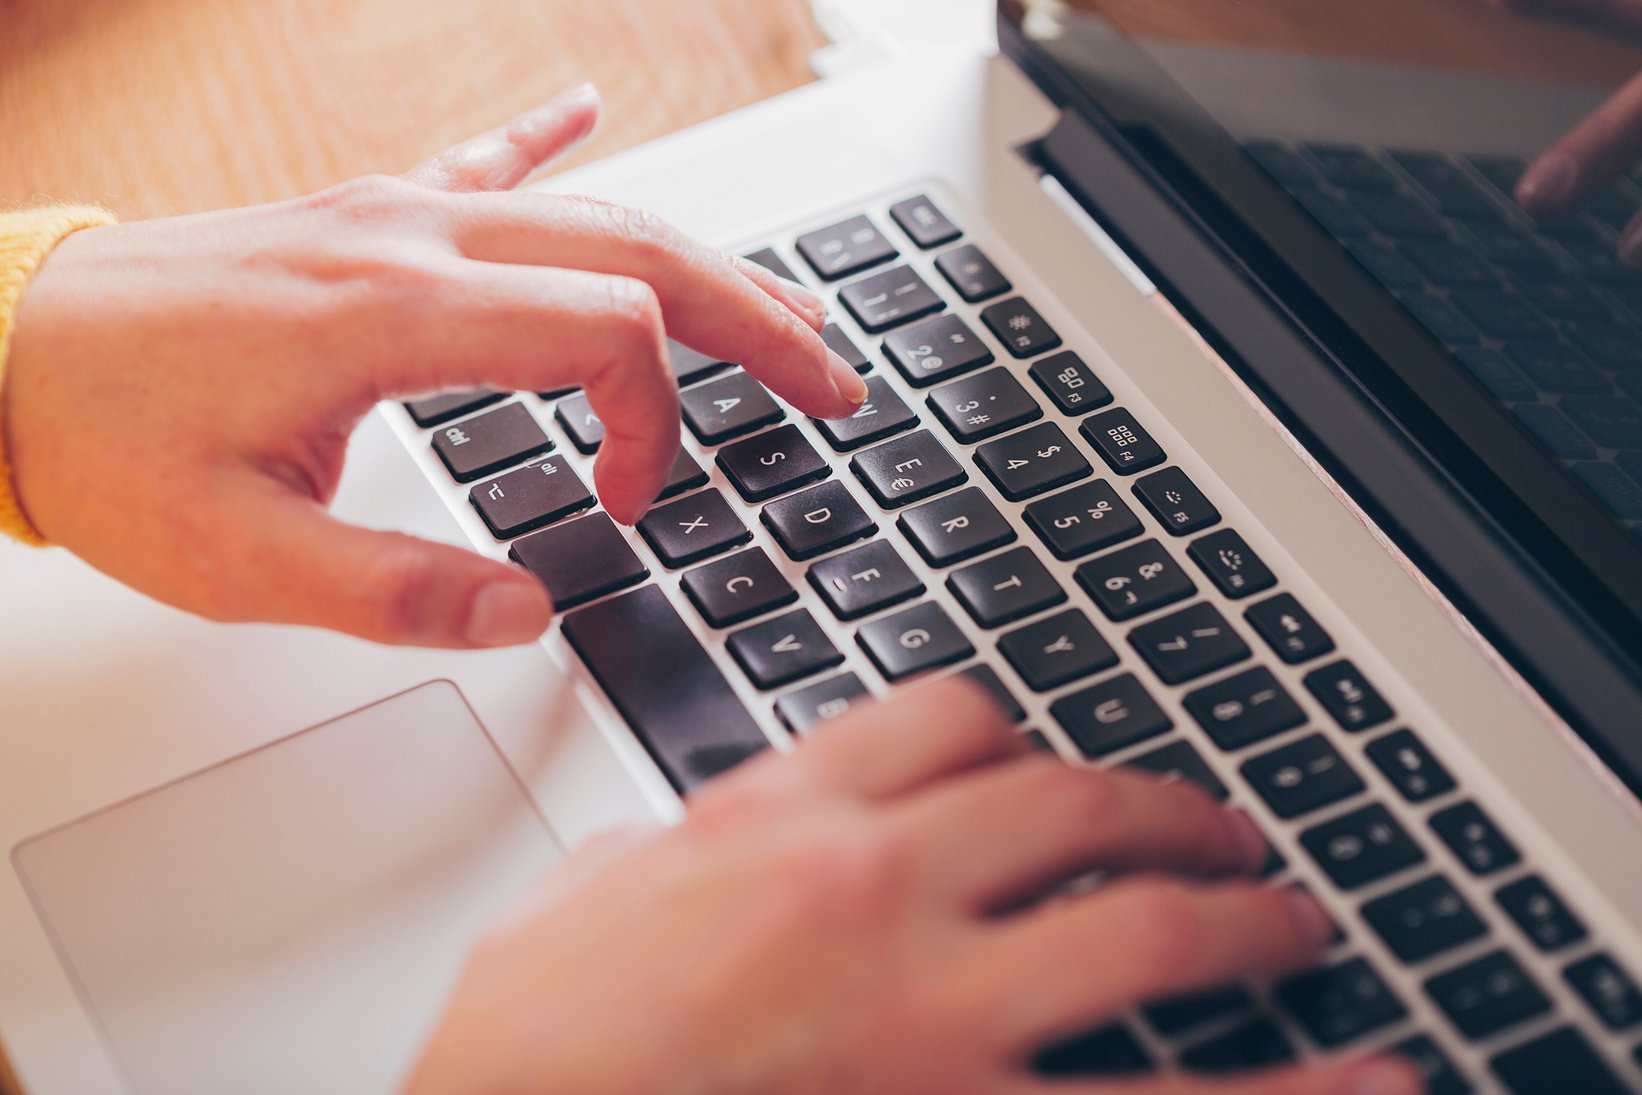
(1227,419)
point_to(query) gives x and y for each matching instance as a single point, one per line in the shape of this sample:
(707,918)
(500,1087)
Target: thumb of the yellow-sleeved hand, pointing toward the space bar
(385,587)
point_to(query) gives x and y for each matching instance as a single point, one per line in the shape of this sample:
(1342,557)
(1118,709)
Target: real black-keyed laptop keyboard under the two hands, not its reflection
(996,510)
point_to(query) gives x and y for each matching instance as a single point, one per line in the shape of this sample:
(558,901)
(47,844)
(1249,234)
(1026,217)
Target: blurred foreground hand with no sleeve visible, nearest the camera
(865,917)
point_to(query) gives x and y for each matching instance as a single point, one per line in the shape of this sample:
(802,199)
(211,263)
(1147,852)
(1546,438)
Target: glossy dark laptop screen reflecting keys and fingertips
(1457,181)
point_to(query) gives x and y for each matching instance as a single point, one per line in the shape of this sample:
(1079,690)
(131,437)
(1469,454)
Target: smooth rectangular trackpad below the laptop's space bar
(293,920)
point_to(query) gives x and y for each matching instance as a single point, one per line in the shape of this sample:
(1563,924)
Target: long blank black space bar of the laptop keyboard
(667,689)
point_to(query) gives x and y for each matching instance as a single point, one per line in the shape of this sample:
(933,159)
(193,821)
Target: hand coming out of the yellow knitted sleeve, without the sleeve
(181,392)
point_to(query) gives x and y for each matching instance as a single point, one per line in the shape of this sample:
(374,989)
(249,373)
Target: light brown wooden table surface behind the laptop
(170,106)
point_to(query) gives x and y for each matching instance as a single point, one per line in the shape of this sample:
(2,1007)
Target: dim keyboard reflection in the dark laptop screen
(1544,316)
